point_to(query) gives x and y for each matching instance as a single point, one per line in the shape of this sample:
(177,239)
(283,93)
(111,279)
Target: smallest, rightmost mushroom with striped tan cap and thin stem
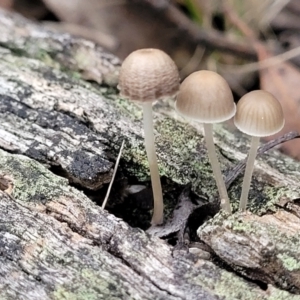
(259,114)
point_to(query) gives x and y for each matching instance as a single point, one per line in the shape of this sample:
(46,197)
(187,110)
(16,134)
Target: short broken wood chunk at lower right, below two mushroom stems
(264,248)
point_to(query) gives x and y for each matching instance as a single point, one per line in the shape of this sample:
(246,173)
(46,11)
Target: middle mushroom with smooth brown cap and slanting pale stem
(206,97)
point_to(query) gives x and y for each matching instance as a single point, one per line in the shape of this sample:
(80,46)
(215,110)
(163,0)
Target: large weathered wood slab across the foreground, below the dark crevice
(57,244)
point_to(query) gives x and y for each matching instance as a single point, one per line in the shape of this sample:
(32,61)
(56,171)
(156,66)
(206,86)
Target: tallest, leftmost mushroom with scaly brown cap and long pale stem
(148,75)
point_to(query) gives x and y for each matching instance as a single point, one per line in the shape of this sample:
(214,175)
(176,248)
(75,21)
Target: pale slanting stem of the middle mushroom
(225,204)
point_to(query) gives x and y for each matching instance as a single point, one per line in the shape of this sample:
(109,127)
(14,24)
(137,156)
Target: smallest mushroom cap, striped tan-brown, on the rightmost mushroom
(259,114)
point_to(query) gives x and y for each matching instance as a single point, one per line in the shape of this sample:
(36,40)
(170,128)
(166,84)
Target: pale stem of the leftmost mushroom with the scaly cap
(158,209)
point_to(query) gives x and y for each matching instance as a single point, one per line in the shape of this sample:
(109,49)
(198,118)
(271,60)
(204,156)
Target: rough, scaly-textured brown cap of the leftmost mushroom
(148,75)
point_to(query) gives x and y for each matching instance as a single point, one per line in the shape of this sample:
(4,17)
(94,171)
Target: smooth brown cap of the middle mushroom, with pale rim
(205,96)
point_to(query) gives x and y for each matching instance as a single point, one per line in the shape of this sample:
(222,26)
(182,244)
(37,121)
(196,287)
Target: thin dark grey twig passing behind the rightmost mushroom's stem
(234,173)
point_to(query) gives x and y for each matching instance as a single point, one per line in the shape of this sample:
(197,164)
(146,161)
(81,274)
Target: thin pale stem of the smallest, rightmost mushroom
(248,172)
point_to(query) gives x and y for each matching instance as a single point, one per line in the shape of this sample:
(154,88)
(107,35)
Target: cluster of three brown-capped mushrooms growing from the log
(148,75)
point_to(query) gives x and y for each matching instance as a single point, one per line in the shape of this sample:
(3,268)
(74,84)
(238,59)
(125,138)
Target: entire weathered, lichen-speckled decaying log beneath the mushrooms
(55,243)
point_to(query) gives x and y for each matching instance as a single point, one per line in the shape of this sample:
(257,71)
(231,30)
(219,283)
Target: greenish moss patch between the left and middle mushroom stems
(189,163)
